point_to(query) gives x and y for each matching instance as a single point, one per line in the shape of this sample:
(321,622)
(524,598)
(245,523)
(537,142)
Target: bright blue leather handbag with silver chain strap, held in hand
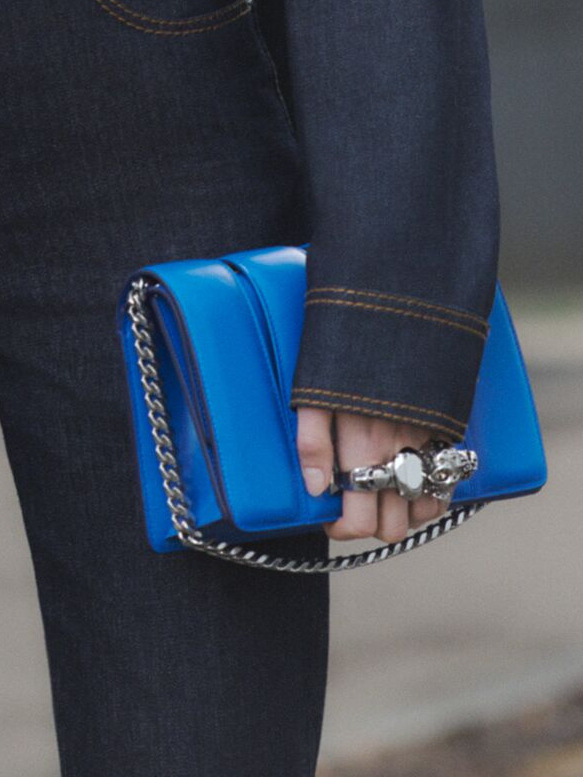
(210,347)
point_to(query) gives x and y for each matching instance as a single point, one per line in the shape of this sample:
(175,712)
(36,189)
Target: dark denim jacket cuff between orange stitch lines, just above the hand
(389,356)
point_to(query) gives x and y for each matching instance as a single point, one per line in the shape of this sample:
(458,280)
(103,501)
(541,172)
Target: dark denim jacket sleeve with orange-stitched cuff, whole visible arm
(391,104)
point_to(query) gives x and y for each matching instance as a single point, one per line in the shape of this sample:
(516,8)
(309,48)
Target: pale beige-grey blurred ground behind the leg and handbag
(476,626)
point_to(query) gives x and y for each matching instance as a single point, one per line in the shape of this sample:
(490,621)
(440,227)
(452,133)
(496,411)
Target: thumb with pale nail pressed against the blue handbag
(315,448)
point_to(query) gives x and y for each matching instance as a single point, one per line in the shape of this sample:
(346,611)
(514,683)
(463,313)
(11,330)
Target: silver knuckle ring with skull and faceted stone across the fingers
(432,470)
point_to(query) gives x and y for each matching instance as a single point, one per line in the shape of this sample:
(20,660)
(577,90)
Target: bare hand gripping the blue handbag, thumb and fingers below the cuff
(362,440)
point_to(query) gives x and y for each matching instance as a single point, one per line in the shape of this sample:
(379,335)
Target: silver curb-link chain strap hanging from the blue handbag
(182,520)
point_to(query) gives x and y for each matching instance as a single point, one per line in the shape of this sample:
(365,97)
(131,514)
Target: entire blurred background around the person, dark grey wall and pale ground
(465,657)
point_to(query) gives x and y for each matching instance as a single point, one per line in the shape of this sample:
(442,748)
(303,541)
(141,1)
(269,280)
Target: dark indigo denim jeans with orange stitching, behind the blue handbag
(120,147)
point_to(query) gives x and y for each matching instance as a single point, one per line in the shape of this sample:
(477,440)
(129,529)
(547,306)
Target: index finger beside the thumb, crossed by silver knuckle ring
(360,441)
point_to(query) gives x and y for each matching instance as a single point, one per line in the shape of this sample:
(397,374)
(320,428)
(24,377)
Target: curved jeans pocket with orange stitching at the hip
(181,17)
